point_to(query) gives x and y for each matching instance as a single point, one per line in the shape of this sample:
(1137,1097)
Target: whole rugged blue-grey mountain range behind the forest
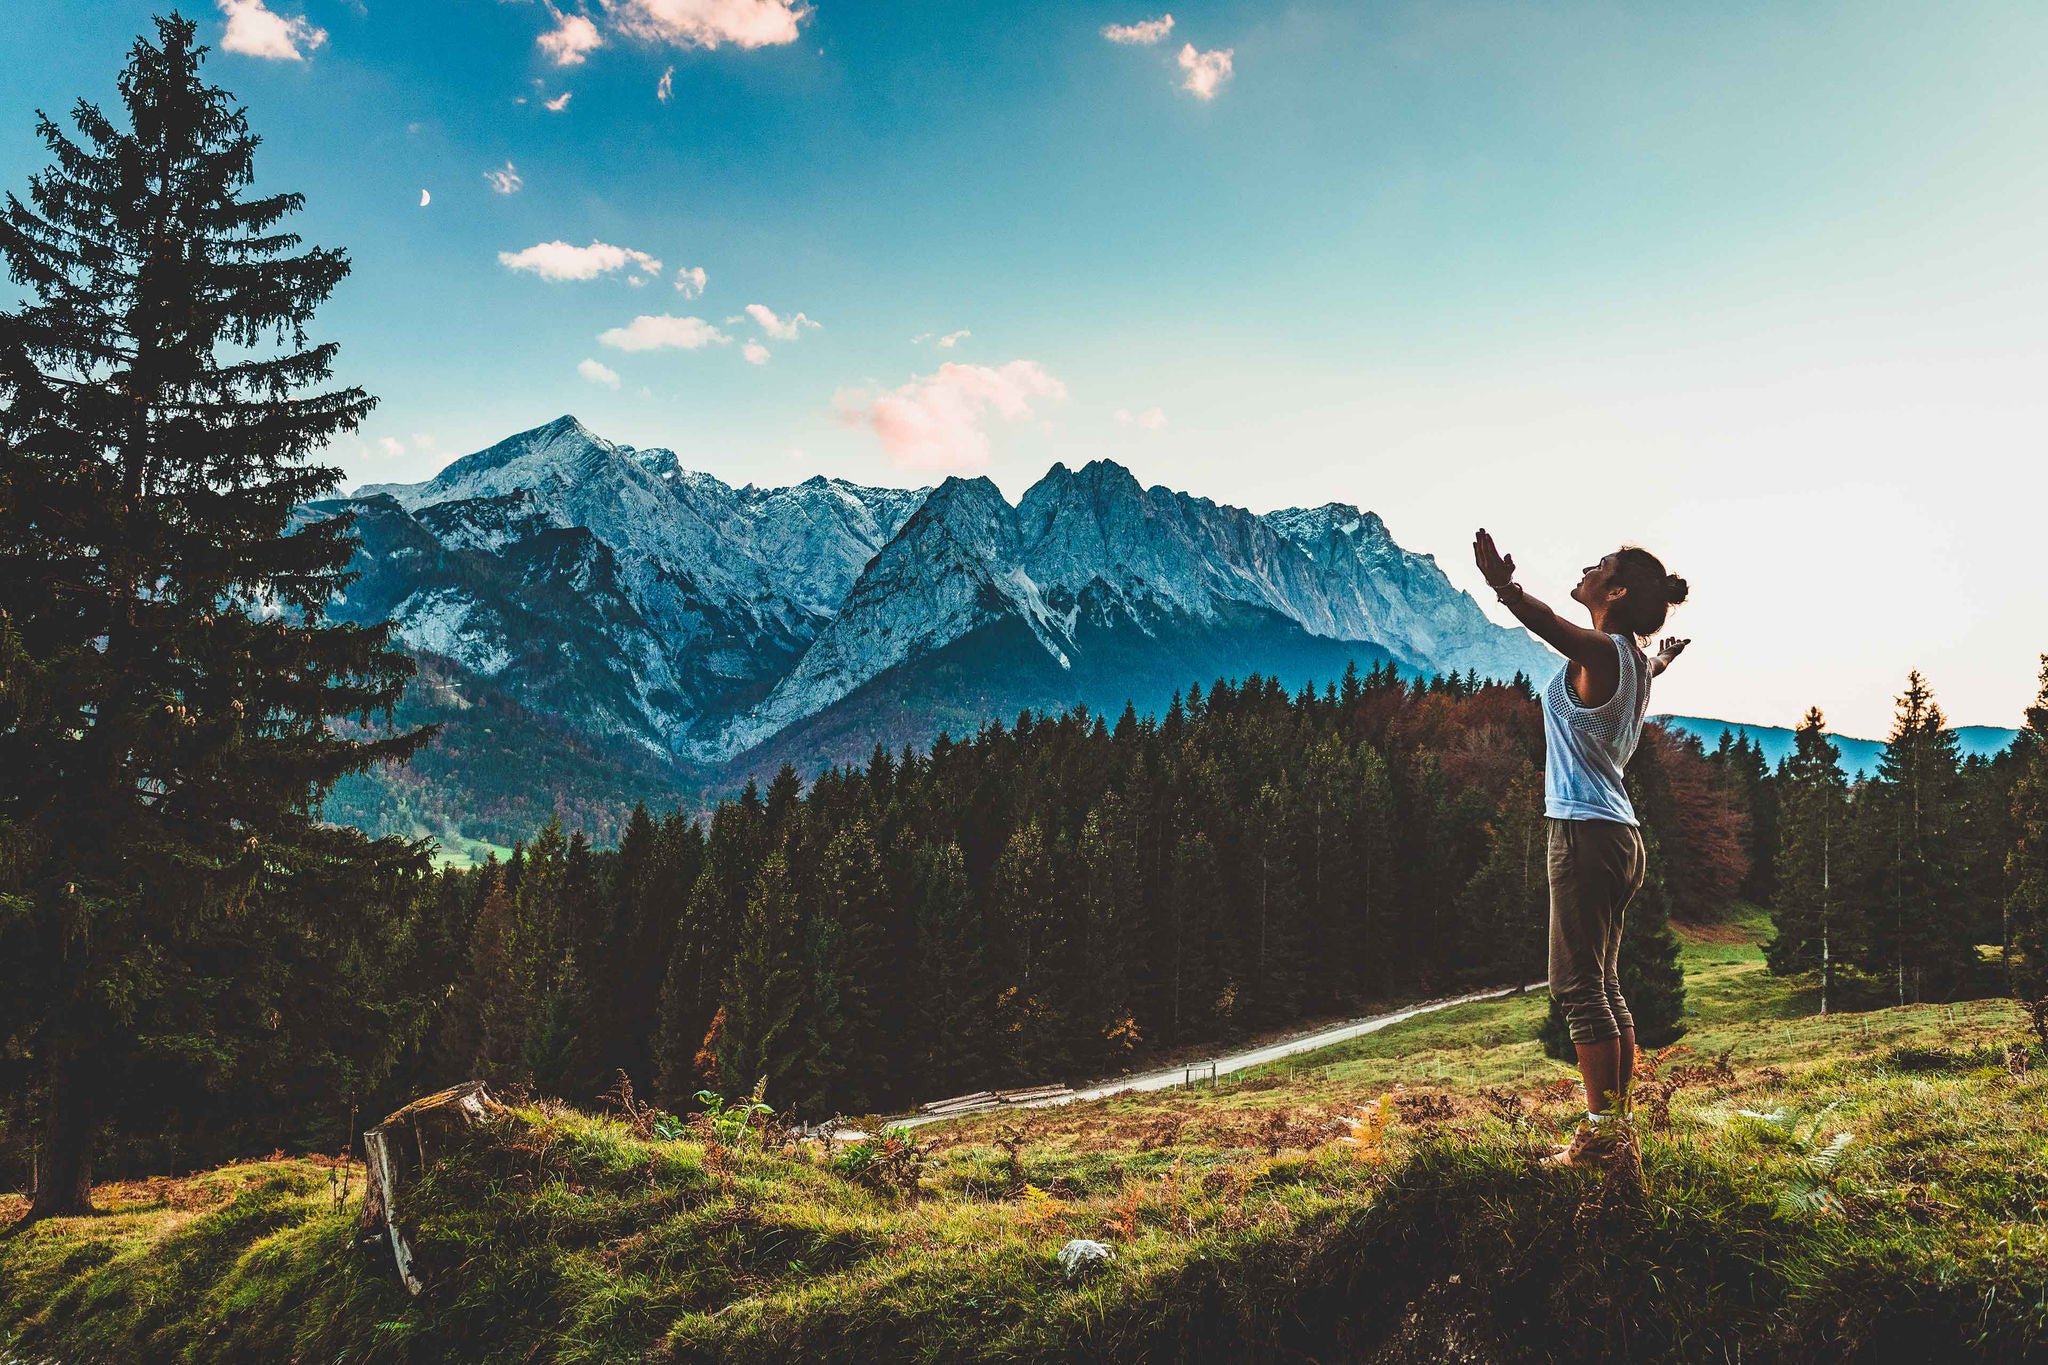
(683,633)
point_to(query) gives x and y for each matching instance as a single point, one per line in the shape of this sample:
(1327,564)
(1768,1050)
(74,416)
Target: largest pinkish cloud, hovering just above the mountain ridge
(935,423)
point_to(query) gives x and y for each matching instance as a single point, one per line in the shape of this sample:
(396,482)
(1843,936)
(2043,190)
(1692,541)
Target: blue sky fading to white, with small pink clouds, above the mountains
(1754,285)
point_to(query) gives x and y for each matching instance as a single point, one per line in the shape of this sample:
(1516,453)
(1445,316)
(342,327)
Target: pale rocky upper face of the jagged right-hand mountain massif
(1095,549)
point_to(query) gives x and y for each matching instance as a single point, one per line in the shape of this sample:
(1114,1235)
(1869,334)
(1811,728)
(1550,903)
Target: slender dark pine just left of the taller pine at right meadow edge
(1814,820)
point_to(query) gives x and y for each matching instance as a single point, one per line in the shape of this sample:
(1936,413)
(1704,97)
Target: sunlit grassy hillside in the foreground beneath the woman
(1846,1188)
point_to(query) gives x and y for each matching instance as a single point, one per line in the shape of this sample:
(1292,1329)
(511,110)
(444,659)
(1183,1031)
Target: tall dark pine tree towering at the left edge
(159,402)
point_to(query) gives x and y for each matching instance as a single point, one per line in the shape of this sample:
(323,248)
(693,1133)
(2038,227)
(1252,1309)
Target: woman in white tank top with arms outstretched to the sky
(1592,719)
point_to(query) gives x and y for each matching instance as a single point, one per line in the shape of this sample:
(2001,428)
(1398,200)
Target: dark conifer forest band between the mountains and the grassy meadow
(1064,897)
